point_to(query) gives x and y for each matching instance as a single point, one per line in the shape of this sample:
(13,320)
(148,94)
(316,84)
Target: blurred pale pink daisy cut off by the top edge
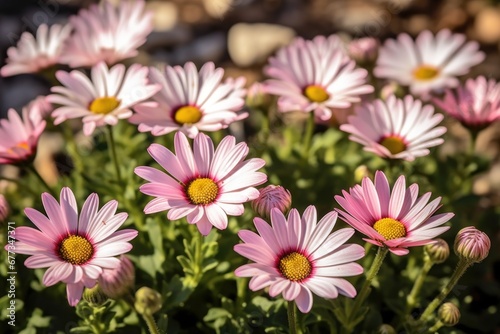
(107,33)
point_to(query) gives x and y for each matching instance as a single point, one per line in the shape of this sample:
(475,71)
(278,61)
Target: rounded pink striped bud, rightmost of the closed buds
(472,244)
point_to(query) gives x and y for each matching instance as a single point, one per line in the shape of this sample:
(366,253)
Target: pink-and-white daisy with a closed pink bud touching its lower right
(203,185)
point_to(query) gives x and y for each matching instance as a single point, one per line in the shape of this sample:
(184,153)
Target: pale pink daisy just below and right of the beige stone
(315,76)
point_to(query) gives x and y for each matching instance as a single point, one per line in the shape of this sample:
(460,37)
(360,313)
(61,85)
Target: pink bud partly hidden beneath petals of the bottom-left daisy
(117,282)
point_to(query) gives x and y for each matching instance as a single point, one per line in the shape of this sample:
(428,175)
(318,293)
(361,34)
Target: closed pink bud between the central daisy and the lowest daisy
(272,197)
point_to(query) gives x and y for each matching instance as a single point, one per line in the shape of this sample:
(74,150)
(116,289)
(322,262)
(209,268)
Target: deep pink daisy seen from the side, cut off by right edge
(475,104)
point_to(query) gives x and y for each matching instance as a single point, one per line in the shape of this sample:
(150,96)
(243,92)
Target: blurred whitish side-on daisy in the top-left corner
(33,55)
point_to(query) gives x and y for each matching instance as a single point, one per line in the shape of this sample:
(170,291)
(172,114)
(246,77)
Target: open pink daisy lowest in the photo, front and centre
(299,257)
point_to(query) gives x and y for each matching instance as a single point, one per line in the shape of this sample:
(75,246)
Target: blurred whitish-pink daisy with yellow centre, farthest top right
(431,63)
